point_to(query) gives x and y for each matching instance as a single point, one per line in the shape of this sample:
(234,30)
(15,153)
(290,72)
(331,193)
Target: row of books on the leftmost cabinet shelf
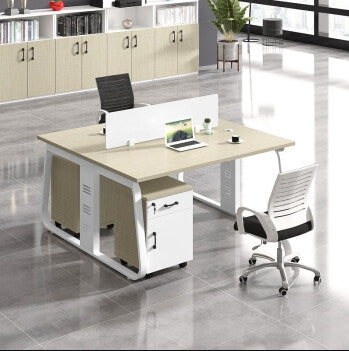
(17,31)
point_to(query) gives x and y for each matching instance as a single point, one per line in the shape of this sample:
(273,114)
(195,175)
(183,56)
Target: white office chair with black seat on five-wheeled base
(288,216)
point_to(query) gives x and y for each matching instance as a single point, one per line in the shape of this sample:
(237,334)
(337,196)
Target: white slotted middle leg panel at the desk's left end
(89,209)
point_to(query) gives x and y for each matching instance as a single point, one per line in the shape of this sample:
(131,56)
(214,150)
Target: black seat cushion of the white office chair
(253,226)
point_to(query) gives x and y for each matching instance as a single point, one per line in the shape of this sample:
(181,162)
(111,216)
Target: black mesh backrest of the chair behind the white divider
(115,92)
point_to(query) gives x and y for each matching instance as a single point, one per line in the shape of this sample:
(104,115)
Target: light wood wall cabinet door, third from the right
(143,53)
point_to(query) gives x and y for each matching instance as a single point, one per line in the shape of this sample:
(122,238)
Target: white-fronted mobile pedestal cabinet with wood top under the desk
(168,221)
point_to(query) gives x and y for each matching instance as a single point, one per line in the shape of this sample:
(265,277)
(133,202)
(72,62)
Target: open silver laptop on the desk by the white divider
(180,136)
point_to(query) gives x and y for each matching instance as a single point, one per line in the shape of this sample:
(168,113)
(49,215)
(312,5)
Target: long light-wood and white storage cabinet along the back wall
(163,42)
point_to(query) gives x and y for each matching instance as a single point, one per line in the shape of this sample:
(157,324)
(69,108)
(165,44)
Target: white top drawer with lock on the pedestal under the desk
(169,204)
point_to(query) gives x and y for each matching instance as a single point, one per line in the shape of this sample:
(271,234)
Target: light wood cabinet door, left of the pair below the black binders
(68,64)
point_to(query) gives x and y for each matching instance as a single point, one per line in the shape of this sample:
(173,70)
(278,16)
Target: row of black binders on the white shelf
(79,24)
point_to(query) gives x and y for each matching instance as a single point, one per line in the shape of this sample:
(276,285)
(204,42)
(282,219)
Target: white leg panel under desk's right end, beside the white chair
(230,186)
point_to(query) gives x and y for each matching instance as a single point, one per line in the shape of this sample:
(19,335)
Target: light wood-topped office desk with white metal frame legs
(149,160)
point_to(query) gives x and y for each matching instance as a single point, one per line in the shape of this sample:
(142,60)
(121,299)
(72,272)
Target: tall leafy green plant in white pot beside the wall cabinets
(230,18)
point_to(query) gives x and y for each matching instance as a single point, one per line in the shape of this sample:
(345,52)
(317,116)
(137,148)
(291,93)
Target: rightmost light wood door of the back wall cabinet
(188,48)
